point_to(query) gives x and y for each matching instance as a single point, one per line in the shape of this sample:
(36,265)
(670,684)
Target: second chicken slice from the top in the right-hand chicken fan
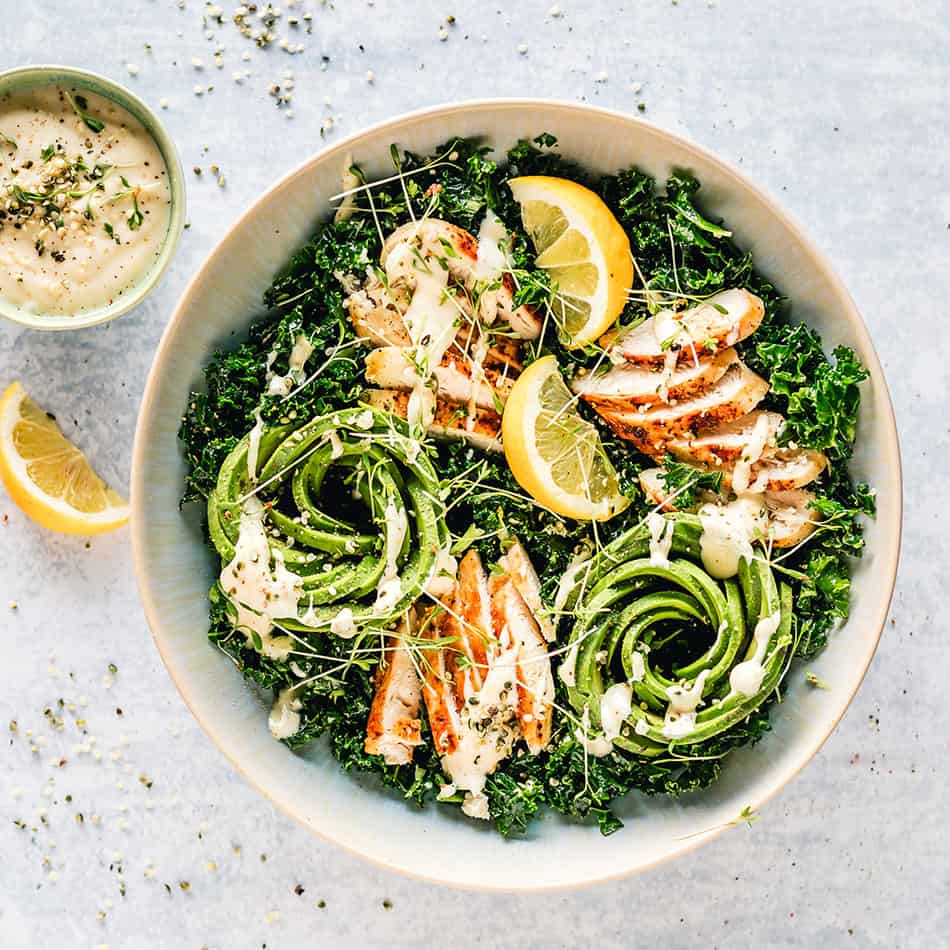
(629,383)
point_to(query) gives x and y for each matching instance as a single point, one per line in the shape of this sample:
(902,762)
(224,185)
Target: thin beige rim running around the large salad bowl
(892,530)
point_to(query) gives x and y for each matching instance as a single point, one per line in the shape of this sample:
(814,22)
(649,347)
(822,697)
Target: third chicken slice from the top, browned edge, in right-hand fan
(651,428)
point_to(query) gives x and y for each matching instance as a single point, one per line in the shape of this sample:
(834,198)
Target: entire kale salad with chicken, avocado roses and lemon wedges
(527,488)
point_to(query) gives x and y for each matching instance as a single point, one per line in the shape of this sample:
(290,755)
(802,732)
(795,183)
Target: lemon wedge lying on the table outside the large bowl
(48,477)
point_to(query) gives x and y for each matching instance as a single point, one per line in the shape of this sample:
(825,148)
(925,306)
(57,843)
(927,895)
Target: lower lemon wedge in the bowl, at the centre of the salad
(554,453)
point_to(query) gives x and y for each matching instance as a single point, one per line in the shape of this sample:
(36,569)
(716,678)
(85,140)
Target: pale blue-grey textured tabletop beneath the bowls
(839,109)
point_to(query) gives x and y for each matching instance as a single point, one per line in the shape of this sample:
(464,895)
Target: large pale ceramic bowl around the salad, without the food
(175,569)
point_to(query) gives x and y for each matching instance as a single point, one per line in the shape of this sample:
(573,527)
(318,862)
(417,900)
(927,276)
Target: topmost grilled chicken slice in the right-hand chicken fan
(700,331)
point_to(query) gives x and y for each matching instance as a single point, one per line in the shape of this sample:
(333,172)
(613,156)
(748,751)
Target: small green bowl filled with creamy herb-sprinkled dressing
(92,198)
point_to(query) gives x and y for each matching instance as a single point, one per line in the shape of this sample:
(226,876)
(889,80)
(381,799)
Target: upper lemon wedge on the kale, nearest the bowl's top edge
(583,249)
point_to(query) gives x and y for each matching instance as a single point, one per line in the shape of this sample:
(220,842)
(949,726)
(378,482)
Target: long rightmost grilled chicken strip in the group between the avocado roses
(513,623)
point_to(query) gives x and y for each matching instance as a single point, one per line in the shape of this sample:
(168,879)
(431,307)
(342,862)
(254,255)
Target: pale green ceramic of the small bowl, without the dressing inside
(26,77)
